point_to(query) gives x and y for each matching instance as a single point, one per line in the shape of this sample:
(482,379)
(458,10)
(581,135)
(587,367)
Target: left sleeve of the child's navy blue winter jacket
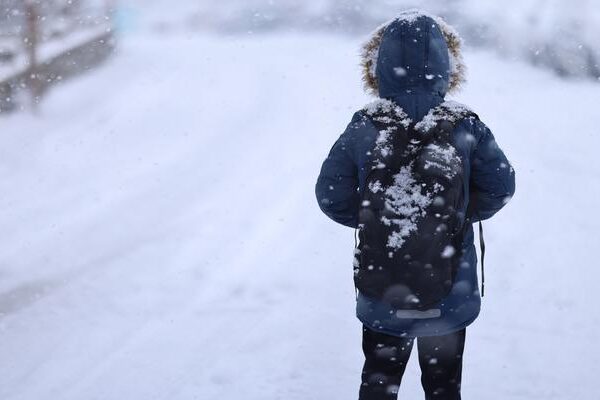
(337,185)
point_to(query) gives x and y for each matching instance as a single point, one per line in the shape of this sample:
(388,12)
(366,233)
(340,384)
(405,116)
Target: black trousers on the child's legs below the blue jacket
(440,358)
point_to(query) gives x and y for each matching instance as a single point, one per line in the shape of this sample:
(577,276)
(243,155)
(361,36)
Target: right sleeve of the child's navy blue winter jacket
(492,182)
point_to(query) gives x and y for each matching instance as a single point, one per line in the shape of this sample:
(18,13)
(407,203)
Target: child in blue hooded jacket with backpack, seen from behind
(412,172)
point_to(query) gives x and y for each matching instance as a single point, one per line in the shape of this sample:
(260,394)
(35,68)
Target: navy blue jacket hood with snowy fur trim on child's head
(413,53)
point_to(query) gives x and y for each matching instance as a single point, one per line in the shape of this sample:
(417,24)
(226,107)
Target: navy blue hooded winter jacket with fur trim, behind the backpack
(414,61)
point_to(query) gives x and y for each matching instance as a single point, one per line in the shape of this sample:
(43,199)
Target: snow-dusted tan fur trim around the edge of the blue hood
(370,52)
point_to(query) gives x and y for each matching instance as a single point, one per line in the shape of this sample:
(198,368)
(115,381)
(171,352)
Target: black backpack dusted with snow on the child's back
(411,219)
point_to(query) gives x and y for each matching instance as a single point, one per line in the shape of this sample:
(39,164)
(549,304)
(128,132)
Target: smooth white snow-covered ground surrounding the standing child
(160,237)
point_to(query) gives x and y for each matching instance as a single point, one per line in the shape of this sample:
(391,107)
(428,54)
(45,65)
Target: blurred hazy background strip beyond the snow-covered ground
(54,39)
